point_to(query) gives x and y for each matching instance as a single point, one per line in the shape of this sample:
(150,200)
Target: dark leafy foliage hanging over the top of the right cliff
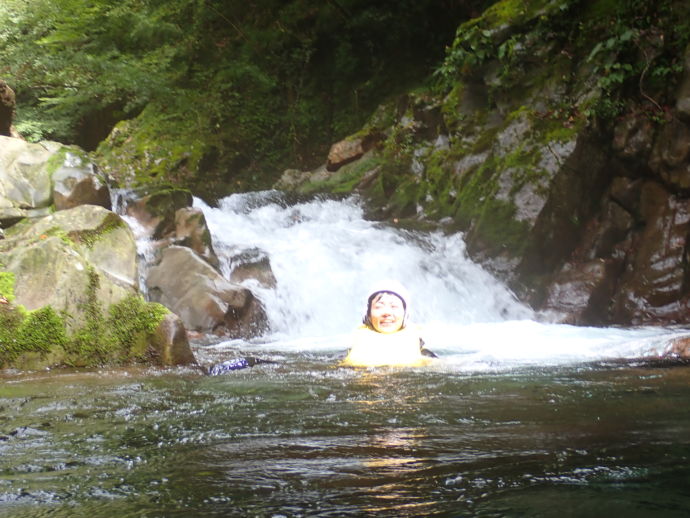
(633,49)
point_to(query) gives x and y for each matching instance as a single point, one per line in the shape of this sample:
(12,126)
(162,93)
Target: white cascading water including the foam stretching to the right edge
(326,256)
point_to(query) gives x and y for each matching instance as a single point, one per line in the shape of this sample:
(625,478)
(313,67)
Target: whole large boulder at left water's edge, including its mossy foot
(70,291)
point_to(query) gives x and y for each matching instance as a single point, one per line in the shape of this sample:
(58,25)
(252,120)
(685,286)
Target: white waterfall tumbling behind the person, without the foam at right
(326,256)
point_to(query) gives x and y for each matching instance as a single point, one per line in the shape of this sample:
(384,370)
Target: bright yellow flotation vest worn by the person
(373,349)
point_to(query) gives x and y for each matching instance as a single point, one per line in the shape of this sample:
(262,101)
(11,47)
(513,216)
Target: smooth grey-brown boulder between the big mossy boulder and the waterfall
(204,300)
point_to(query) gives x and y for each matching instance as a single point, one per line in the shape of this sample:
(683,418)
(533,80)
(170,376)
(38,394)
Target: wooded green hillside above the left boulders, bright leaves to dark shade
(216,92)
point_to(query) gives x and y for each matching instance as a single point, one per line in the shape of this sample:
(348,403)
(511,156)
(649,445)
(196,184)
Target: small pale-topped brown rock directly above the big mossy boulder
(75,183)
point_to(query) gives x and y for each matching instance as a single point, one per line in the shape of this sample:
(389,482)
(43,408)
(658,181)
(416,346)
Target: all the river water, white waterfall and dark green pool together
(519,418)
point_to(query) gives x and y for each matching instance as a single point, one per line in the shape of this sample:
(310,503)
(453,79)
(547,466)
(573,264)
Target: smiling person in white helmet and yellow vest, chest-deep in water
(386,338)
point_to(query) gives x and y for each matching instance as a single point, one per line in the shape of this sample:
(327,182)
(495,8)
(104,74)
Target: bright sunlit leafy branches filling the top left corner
(70,62)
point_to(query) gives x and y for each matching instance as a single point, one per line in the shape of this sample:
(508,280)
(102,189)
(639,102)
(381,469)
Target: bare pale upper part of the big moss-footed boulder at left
(55,258)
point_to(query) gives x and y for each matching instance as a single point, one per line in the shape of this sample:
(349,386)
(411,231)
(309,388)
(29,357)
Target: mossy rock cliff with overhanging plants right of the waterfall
(560,148)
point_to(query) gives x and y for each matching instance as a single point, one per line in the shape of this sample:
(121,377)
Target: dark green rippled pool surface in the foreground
(306,438)
